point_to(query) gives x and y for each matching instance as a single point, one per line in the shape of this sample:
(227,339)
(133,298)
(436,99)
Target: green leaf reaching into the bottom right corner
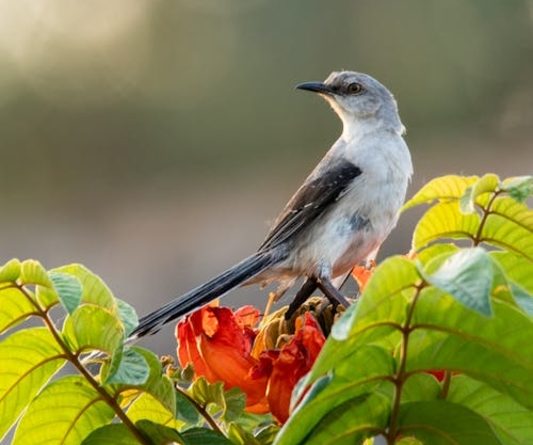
(512,423)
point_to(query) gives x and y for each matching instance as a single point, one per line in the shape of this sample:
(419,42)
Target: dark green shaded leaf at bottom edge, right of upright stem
(444,423)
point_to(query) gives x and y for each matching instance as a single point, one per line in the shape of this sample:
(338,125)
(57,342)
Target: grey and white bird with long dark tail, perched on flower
(338,218)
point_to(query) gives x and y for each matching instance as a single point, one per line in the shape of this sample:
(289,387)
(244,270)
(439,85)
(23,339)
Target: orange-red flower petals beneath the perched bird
(219,342)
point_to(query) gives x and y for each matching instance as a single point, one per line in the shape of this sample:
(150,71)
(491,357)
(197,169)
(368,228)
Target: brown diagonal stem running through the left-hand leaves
(73,358)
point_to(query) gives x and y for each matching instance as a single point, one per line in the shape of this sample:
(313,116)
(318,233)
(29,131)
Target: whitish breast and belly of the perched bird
(337,242)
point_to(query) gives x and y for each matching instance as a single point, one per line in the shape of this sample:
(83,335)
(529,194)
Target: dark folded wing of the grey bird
(310,201)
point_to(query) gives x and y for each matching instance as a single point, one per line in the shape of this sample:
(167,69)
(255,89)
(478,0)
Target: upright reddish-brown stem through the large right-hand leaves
(401,376)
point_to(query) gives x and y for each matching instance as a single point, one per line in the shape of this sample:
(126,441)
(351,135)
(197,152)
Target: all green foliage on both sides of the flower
(458,307)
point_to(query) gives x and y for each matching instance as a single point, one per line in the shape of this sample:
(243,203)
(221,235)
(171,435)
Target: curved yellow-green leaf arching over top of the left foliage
(95,291)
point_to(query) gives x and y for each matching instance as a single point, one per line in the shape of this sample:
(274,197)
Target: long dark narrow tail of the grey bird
(197,297)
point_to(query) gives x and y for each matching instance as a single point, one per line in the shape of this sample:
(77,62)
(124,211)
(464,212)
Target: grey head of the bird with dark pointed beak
(357,97)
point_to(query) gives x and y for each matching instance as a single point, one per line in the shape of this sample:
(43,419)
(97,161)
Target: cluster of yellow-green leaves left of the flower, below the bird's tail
(112,381)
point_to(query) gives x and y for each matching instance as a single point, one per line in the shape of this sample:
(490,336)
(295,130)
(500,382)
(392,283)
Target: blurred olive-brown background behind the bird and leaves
(154,141)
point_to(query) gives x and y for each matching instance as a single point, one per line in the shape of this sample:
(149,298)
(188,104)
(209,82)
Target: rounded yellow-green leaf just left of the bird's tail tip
(92,327)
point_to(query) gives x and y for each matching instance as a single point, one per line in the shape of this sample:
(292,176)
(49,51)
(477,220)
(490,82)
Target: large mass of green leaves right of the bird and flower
(463,313)
